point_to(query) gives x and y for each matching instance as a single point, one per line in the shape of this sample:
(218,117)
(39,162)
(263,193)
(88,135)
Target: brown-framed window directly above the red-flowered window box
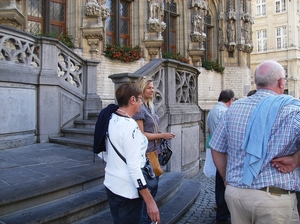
(118,23)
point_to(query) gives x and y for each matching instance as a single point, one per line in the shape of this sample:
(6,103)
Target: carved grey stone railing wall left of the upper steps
(44,86)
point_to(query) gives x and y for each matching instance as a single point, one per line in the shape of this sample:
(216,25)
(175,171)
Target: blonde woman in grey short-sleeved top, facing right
(147,120)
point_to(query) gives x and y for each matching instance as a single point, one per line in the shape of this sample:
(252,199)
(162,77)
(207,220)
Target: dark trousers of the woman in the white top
(124,210)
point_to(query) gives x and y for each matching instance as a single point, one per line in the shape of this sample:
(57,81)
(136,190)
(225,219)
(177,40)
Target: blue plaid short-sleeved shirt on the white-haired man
(284,140)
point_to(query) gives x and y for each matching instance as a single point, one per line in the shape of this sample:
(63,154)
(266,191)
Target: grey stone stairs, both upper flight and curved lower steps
(70,199)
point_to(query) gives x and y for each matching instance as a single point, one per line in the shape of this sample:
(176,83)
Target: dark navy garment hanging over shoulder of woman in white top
(101,128)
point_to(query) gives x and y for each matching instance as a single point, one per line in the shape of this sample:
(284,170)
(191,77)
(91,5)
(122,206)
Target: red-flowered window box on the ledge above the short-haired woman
(123,53)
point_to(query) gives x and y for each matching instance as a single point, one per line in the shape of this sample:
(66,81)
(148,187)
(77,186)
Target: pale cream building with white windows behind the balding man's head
(276,35)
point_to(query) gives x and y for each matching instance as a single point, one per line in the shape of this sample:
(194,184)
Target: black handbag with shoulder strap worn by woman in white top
(147,170)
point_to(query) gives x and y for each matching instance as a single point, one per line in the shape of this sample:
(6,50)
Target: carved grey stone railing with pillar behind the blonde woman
(176,86)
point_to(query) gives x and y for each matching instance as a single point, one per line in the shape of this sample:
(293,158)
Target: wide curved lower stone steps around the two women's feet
(86,202)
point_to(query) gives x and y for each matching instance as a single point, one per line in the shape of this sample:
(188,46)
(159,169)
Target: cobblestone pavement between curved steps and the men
(202,211)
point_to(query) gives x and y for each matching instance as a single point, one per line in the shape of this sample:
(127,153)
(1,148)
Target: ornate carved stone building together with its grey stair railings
(200,32)
